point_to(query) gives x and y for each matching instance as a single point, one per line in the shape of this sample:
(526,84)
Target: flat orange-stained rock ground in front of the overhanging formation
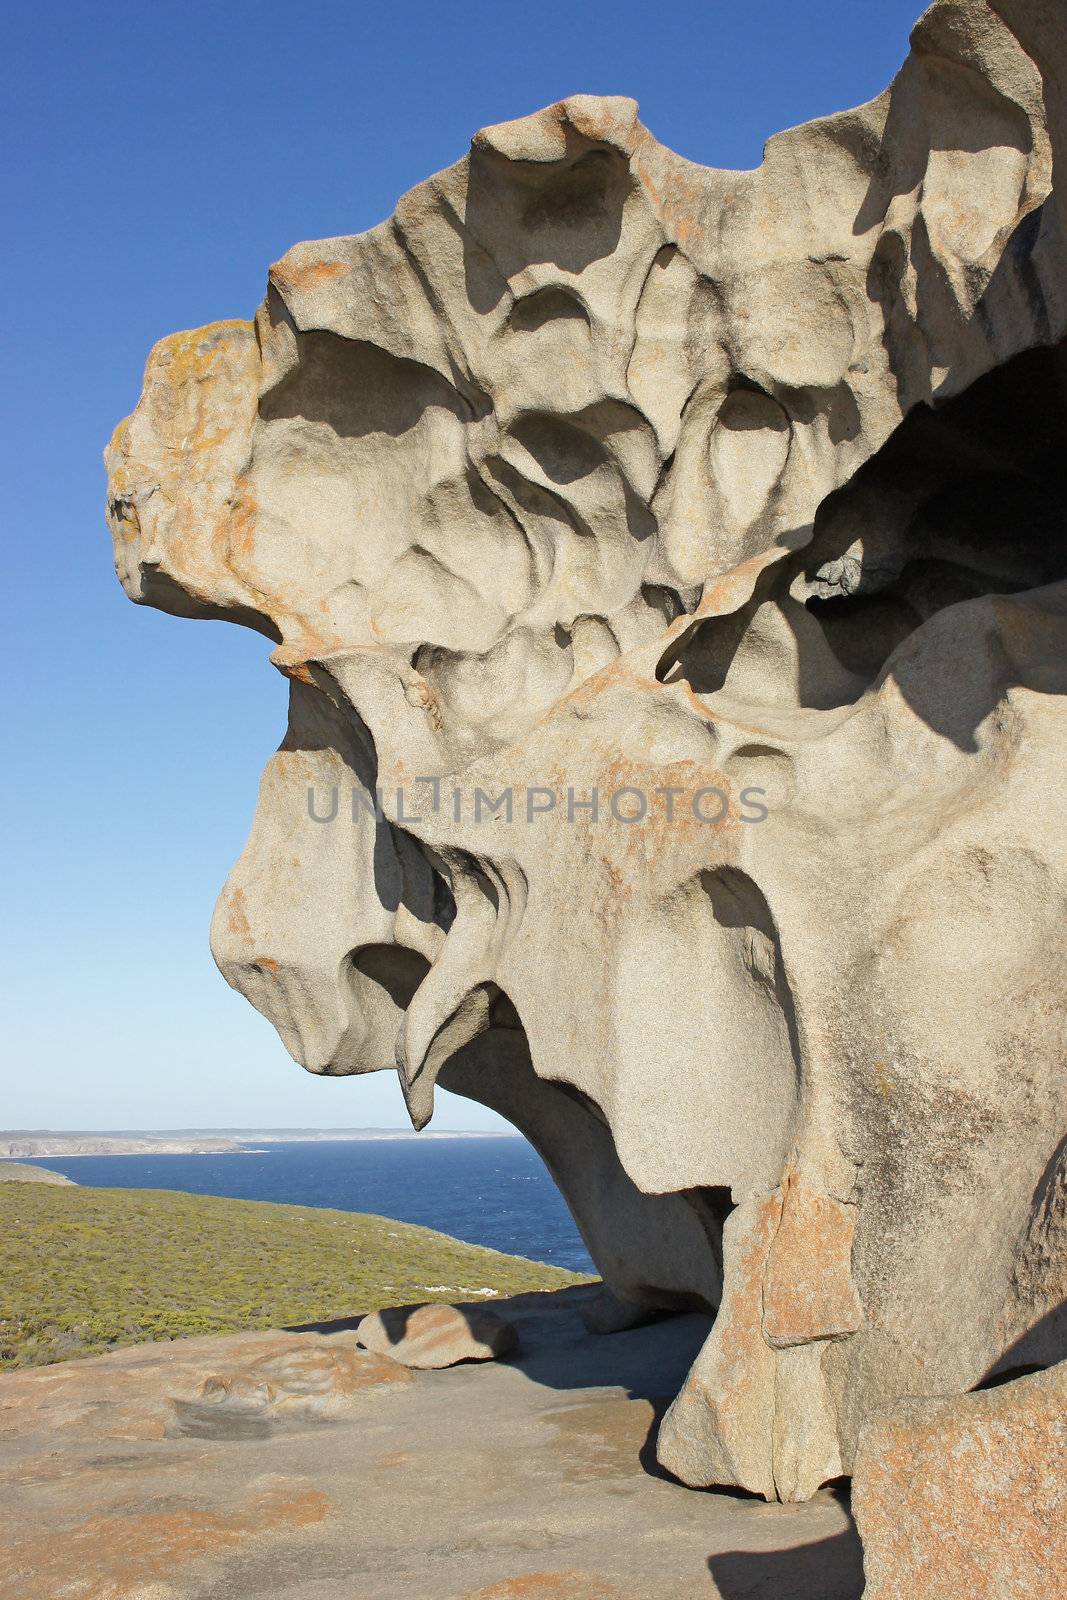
(297,1465)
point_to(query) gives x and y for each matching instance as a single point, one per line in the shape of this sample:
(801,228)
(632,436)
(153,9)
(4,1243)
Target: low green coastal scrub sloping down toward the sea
(84,1271)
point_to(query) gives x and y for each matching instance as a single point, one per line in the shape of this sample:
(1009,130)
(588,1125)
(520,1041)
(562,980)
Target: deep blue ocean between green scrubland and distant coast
(487,1191)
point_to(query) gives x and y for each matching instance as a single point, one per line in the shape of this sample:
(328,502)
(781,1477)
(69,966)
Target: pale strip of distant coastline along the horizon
(23,1145)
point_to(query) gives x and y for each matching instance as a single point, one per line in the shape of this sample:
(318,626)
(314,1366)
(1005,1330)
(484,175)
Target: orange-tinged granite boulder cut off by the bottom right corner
(967,1495)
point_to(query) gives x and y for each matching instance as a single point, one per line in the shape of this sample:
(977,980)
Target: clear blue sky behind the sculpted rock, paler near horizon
(158,158)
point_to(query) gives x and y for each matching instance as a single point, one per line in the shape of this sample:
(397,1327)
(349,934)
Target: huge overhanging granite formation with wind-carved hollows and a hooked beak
(732,505)
